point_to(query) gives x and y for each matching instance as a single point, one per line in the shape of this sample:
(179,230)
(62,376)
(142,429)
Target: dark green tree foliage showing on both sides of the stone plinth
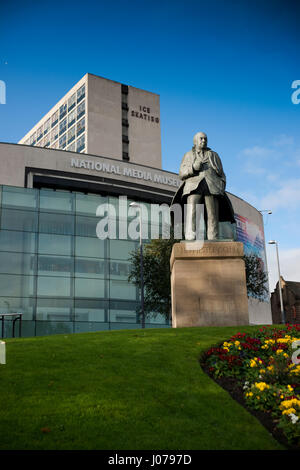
(157,282)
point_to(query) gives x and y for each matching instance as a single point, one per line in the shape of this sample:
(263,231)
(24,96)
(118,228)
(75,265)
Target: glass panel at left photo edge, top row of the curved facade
(14,198)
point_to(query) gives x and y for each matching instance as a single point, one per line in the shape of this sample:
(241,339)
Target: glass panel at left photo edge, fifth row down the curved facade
(16,286)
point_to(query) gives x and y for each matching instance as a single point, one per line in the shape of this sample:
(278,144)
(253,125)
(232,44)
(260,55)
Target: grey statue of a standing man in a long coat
(204,181)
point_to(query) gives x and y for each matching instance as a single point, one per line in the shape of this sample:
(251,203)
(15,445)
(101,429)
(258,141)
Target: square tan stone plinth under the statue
(208,285)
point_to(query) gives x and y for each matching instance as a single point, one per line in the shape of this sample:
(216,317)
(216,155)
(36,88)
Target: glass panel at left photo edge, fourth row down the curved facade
(17,263)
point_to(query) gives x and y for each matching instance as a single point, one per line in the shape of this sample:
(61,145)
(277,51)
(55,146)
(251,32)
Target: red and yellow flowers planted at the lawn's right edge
(265,367)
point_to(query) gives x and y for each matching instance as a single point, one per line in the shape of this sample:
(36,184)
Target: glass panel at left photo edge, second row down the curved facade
(19,220)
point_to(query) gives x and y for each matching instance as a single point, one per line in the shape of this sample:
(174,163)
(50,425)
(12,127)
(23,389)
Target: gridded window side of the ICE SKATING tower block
(66,128)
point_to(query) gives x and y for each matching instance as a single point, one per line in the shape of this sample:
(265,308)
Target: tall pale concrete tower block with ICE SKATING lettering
(102,117)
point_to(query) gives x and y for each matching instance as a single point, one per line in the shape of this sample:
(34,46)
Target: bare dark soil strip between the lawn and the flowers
(236,391)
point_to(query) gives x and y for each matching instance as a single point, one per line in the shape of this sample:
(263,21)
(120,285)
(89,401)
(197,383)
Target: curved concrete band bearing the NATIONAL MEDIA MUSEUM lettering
(15,157)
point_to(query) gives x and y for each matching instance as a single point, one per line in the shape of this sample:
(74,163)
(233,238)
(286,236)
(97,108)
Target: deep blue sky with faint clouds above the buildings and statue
(222,67)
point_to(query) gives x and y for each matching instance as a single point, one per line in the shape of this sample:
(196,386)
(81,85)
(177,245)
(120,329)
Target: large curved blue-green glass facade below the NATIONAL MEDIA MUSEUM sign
(56,271)
